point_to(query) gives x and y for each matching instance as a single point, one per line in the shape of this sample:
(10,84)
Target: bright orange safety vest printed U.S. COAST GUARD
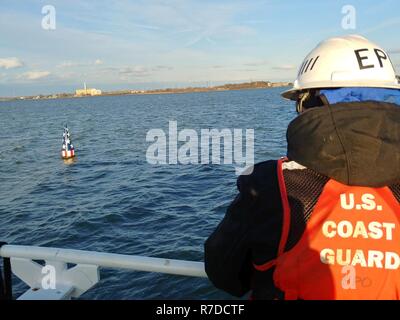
(350,248)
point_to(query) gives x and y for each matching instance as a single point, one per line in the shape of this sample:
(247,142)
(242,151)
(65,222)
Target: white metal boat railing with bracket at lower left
(55,280)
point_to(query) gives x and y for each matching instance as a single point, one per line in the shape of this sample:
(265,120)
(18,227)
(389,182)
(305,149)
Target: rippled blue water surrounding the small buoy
(110,199)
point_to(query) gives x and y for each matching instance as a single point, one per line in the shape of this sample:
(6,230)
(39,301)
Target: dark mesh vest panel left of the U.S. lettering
(303,187)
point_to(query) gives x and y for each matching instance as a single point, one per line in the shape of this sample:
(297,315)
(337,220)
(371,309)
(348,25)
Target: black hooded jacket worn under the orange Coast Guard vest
(353,143)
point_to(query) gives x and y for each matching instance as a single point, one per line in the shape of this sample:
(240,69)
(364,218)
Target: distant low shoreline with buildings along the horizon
(225,87)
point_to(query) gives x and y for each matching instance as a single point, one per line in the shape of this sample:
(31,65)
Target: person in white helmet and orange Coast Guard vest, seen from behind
(323,223)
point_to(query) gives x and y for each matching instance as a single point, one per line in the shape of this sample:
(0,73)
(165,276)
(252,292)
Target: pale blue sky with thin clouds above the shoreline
(158,43)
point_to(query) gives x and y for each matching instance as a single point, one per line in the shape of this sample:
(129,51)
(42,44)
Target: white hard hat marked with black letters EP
(349,61)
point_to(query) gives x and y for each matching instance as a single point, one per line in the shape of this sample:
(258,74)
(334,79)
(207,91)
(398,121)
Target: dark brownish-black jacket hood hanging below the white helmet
(354,143)
